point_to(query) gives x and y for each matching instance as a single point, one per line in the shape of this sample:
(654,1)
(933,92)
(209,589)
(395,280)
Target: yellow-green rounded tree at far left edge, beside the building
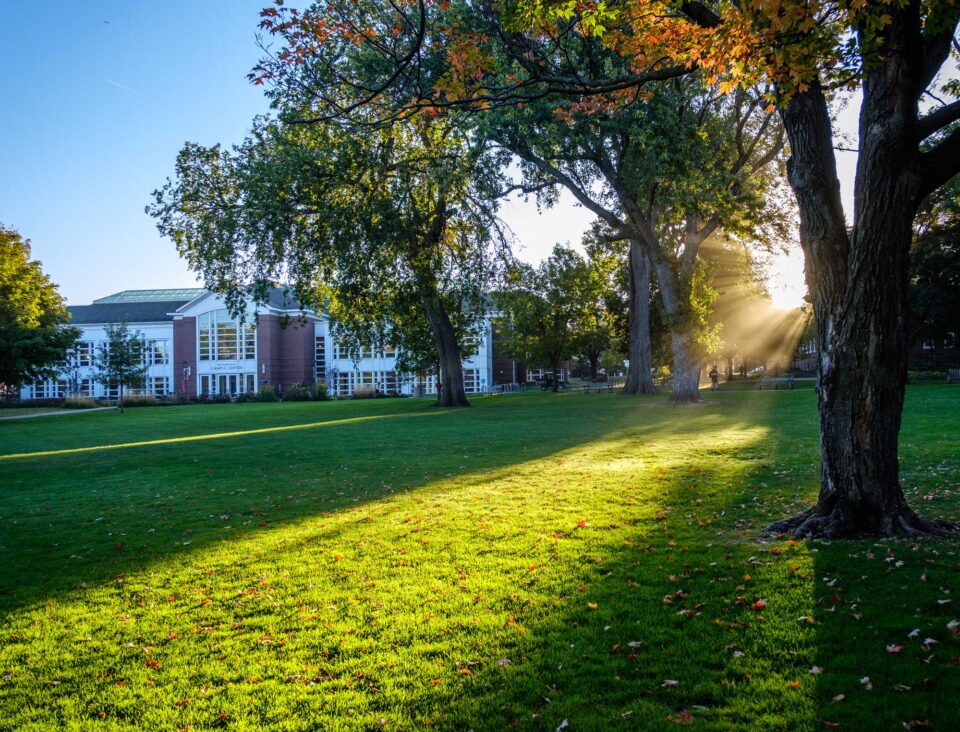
(34,333)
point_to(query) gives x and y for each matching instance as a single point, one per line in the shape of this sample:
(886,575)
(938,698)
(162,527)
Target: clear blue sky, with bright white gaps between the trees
(100,95)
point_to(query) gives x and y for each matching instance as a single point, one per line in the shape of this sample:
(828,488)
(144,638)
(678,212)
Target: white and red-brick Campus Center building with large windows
(195,348)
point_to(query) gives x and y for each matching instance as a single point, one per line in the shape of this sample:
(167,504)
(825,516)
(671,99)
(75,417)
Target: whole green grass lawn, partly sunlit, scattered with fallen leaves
(531,560)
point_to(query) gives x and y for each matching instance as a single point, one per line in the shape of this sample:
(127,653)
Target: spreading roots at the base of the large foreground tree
(817,523)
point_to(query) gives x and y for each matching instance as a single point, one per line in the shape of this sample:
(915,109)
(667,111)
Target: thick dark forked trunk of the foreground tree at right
(859,288)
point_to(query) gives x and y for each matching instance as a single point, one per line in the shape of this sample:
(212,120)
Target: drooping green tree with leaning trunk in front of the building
(363,223)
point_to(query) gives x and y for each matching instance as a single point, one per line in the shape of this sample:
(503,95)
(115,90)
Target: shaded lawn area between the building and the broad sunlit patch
(82,513)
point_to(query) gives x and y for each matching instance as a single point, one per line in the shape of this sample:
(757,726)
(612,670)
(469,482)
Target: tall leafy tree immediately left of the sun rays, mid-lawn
(664,173)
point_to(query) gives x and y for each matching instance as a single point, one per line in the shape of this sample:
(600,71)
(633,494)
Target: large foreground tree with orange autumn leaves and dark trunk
(858,275)
